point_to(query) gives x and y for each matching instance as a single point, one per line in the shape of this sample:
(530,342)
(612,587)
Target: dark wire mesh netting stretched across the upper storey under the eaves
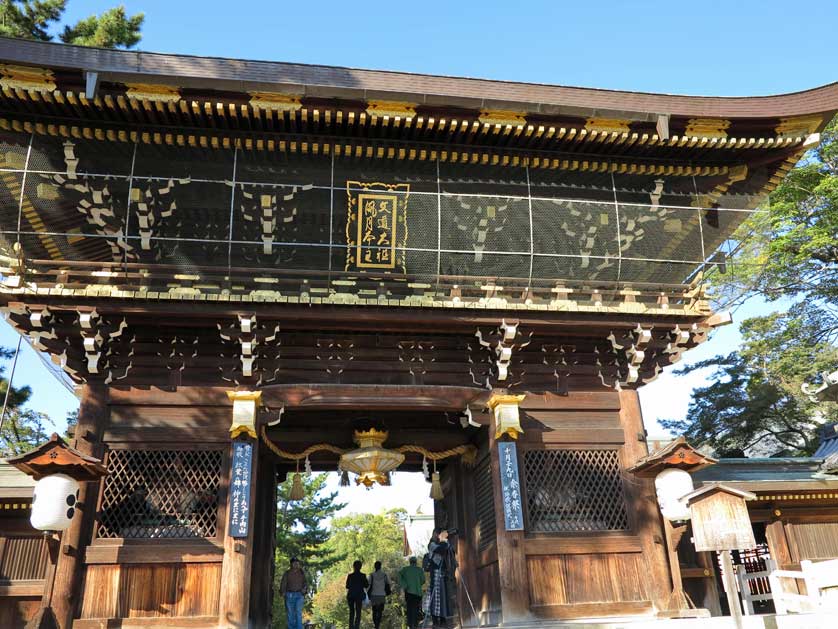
(84,200)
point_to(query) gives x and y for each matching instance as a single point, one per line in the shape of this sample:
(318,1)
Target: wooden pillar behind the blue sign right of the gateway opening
(512,561)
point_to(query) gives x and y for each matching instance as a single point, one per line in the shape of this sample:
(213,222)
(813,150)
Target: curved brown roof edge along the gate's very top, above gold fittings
(352,83)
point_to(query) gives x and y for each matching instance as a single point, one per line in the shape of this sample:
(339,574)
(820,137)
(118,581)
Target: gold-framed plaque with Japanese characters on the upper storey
(376,226)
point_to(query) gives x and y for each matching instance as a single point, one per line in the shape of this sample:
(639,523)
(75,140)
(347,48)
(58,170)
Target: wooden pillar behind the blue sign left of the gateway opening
(234,603)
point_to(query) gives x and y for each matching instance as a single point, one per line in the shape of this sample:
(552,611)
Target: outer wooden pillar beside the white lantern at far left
(66,590)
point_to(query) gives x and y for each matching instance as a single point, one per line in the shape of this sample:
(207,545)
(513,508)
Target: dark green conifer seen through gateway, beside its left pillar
(301,533)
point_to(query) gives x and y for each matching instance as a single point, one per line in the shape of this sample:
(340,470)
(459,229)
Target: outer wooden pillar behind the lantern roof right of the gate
(644,507)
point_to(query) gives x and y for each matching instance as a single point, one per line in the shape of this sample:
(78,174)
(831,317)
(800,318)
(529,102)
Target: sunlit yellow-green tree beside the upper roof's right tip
(791,247)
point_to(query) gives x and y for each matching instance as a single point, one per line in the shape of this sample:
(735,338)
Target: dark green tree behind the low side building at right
(755,403)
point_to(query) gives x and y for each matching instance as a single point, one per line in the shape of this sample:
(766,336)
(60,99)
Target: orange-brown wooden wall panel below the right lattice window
(594,578)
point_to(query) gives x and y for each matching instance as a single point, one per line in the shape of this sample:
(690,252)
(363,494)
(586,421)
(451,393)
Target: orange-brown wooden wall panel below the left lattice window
(151,590)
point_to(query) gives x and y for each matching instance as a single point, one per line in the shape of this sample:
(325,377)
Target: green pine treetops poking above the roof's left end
(34,19)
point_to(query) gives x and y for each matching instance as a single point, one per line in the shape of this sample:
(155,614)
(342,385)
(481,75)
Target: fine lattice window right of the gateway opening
(574,491)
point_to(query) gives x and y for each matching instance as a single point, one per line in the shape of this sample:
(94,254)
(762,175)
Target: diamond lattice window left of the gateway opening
(161,494)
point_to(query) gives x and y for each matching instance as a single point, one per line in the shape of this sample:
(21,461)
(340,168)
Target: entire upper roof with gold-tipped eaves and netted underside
(204,168)
